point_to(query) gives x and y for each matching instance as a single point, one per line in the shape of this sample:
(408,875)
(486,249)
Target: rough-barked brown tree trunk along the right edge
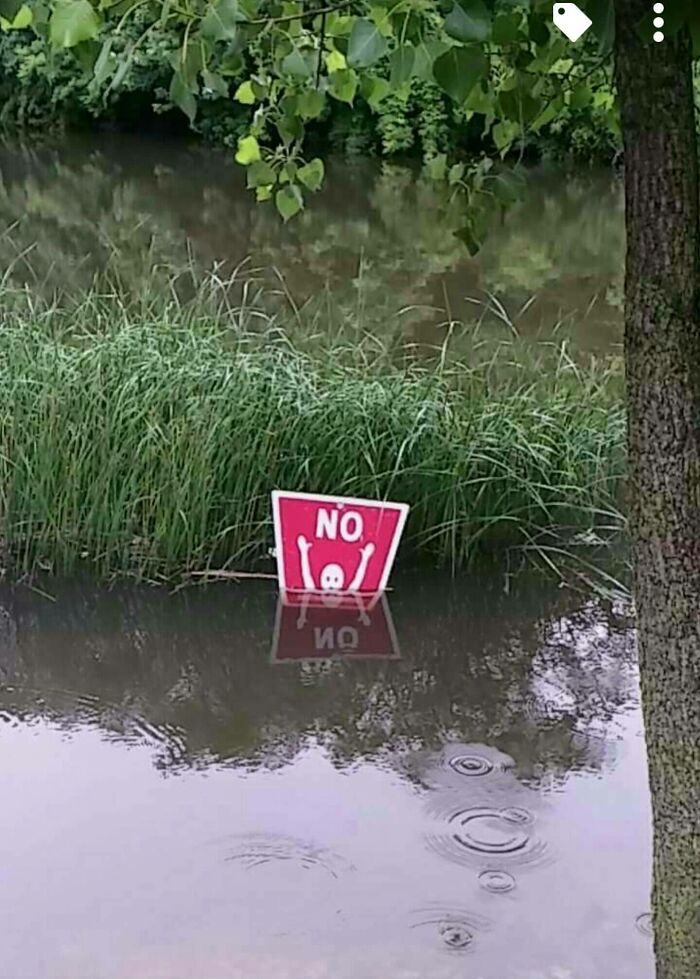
(662,352)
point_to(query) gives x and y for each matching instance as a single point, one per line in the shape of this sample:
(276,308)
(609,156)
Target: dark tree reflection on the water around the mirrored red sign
(192,674)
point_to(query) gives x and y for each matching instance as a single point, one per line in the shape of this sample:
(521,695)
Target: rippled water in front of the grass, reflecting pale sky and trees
(191,792)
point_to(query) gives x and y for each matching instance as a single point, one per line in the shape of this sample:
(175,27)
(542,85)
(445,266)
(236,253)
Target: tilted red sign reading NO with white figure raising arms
(335,543)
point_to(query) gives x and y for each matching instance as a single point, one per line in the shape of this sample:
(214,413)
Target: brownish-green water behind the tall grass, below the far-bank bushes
(374,250)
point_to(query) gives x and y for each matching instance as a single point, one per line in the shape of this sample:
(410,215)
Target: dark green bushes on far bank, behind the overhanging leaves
(43,86)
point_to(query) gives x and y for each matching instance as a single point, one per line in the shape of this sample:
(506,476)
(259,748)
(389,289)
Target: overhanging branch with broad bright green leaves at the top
(502,62)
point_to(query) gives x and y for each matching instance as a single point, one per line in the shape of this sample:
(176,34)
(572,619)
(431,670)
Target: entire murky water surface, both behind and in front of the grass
(208,785)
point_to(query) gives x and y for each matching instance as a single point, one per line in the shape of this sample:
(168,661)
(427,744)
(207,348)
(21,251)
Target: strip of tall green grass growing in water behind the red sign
(145,437)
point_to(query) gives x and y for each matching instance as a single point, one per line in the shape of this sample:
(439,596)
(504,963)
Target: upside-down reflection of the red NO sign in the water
(307,628)
